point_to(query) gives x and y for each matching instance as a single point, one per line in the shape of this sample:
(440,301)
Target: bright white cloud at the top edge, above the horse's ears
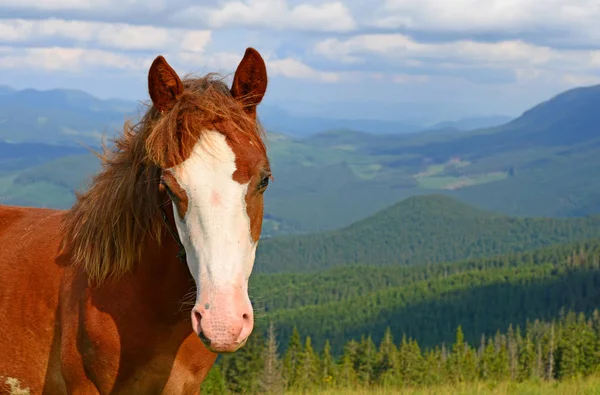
(274,14)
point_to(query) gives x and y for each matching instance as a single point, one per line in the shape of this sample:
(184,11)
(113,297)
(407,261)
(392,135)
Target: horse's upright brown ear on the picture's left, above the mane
(164,85)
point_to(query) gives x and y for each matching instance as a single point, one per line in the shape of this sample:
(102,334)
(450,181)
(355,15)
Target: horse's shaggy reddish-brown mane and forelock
(107,228)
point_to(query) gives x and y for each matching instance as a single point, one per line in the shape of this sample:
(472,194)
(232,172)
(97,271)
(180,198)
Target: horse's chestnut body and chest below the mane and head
(73,338)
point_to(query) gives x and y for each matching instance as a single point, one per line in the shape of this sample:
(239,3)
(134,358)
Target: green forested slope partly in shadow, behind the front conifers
(428,302)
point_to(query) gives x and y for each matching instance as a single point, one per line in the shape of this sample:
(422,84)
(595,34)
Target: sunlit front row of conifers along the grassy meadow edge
(566,347)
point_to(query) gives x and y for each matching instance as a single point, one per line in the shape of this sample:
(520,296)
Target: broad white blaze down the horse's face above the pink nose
(216,228)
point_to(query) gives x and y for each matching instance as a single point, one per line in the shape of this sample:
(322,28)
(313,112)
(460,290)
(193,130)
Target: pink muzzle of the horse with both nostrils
(223,327)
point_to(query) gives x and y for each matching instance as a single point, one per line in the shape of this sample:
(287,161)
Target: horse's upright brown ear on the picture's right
(250,80)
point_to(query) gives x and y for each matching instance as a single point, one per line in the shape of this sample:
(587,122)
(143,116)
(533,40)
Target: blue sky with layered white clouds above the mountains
(385,59)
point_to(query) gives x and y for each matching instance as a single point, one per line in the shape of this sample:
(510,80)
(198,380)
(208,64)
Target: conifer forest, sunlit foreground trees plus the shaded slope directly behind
(514,318)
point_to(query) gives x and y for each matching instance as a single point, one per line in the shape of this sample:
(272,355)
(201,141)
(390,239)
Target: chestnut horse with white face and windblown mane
(140,285)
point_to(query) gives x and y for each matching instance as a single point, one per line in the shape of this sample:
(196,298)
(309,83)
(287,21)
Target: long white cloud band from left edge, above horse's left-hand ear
(107,35)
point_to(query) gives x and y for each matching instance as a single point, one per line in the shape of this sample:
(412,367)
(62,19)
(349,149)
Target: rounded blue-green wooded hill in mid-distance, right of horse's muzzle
(418,230)
